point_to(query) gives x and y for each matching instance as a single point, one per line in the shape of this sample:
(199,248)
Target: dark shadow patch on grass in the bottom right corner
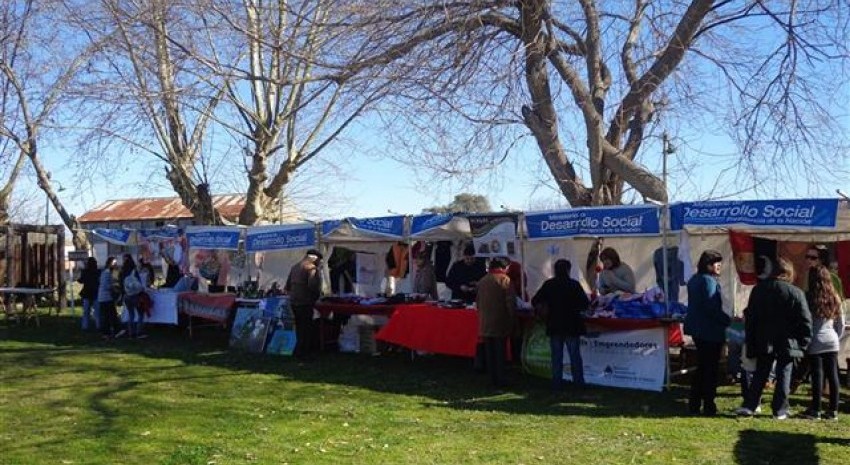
(755,447)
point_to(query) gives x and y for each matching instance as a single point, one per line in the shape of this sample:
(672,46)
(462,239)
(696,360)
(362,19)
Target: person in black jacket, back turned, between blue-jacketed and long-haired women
(778,328)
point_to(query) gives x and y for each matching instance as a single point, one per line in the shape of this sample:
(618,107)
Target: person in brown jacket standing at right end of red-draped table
(496,303)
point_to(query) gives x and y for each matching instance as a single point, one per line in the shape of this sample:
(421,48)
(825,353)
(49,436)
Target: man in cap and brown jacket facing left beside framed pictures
(304,286)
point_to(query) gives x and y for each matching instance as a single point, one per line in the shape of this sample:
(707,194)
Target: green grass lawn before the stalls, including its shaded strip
(66,397)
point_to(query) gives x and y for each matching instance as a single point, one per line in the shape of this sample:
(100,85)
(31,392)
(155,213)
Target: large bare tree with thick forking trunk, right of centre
(608,72)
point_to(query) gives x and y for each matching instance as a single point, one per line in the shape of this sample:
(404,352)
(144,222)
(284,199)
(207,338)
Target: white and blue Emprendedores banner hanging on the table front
(634,359)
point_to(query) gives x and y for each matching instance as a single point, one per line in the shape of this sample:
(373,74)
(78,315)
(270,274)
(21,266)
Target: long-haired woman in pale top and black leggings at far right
(827,329)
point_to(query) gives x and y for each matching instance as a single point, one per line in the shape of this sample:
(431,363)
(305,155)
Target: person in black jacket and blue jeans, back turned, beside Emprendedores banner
(564,300)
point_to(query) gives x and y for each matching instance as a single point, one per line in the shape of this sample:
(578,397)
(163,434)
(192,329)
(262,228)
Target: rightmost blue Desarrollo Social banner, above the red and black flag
(807,213)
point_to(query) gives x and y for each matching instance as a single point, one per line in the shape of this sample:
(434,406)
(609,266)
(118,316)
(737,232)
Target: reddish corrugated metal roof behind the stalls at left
(161,208)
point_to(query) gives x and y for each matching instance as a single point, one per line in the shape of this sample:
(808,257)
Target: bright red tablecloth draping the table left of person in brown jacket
(433,329)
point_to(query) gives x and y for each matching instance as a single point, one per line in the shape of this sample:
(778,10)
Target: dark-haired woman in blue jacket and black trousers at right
(706,323)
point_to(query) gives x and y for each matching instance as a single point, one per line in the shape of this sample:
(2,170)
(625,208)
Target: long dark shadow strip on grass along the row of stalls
(442,382)
